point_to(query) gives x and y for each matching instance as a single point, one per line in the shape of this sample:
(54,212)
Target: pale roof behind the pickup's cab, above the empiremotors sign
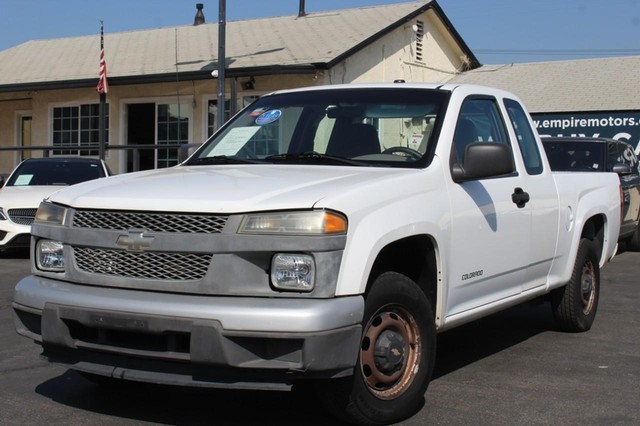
(601,84)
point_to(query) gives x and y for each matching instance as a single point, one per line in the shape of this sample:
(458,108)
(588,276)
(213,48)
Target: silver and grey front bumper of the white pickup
(190,340)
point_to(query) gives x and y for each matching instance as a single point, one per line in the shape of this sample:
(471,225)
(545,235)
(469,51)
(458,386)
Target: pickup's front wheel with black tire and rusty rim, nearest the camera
(396,357)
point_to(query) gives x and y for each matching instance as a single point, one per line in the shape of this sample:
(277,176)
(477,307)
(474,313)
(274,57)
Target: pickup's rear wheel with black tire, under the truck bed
(575,305)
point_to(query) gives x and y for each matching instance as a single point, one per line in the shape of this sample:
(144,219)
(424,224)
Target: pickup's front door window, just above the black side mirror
(479,121)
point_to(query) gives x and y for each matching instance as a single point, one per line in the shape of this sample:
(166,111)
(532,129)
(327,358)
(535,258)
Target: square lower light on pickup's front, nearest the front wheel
(293,272)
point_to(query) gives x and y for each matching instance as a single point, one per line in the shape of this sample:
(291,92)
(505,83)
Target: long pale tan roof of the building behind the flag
(317,38)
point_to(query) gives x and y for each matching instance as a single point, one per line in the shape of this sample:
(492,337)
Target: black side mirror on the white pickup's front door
(483,160)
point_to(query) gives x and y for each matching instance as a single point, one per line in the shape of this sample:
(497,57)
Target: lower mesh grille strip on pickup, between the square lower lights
(145,265)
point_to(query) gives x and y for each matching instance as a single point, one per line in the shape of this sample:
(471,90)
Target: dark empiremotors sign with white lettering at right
(624,126)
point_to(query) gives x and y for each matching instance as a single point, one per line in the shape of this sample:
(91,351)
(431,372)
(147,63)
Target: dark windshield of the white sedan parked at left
(51,172)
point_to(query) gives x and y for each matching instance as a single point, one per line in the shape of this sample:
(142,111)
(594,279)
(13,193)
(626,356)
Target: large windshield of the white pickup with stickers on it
(364,126)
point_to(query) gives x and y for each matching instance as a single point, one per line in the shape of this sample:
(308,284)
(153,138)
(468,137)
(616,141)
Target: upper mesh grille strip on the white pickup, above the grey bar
(155,222)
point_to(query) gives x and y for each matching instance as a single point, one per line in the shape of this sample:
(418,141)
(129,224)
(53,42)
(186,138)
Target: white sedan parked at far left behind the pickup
(32,181)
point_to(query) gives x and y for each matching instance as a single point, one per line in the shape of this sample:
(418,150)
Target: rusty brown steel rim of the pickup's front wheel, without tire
(390,352)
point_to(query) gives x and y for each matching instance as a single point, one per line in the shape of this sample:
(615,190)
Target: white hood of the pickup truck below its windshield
(222,188)
